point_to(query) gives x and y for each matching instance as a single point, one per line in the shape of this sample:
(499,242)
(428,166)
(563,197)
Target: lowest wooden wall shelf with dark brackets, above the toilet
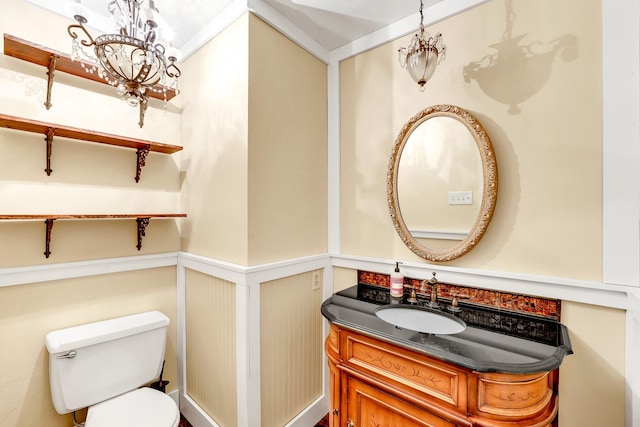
(142,220)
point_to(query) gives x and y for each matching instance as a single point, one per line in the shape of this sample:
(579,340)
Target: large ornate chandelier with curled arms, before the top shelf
(134,58)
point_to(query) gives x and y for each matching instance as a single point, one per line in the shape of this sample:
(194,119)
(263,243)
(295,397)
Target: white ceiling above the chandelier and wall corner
(330,23)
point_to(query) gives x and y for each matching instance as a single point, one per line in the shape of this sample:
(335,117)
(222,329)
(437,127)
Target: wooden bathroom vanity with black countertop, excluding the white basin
(502,370)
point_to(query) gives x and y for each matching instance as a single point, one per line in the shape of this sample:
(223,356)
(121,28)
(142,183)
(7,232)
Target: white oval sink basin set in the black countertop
(420,319)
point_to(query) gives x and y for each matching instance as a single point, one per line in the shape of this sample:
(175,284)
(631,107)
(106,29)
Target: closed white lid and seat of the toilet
(143,407)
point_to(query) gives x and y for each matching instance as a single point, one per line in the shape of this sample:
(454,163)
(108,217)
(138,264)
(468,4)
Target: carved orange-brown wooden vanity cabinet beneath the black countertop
(374,383)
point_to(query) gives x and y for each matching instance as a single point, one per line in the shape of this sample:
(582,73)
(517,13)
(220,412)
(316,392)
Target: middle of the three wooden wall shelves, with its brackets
(49,130)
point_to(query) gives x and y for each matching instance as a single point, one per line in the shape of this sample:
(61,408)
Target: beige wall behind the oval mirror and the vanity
(543,116)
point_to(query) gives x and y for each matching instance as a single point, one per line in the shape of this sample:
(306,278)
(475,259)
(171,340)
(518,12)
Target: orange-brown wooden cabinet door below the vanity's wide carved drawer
(368,406)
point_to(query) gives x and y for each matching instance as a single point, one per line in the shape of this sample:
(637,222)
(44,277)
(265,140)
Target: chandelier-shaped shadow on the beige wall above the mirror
(516,71)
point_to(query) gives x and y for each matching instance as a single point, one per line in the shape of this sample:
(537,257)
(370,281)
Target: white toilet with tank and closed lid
(102,366)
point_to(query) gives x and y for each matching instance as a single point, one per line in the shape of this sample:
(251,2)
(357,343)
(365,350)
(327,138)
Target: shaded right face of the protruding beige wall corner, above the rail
(287,148)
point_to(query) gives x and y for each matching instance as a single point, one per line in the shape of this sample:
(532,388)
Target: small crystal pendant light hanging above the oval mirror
(423,54)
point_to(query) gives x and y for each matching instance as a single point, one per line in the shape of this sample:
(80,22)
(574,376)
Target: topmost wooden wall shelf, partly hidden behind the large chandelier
(54,60)
